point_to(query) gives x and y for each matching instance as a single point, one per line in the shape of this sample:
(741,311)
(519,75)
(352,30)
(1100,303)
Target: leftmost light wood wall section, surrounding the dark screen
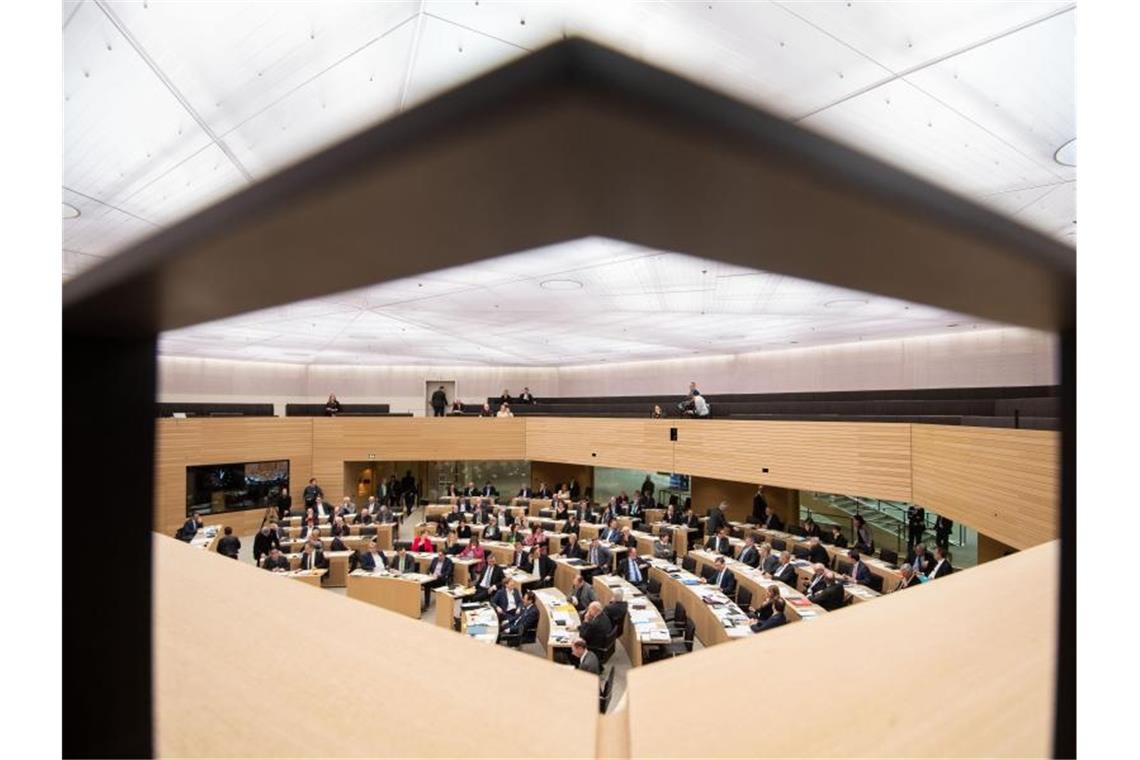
(182,444)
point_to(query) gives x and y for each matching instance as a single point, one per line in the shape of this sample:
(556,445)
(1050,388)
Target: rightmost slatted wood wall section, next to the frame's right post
(1003,483)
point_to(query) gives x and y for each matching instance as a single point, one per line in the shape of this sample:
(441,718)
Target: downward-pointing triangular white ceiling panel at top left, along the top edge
(233,60)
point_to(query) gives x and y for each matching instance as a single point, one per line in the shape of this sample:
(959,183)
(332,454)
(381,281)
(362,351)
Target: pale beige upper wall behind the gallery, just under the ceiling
(972,358)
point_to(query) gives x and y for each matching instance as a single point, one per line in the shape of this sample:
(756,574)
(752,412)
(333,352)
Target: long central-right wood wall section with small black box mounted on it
(858,459)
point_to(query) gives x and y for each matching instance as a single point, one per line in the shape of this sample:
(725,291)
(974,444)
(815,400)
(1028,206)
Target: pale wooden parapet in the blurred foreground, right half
(980,647)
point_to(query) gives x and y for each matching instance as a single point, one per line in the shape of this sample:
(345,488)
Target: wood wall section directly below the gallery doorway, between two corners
(338,440)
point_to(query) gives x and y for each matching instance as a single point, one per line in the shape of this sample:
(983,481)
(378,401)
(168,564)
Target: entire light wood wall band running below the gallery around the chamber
(1001,483)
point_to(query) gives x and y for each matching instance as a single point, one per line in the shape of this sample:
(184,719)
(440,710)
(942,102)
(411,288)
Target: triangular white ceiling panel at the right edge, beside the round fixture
(1021,88)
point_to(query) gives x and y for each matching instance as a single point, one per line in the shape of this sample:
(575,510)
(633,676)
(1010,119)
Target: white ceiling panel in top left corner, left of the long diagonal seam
(123,127)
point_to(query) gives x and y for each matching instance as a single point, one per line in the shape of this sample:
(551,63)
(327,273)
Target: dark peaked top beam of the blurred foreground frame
(614,91)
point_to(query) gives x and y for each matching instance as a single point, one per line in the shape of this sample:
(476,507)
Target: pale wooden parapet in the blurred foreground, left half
(247,665)
